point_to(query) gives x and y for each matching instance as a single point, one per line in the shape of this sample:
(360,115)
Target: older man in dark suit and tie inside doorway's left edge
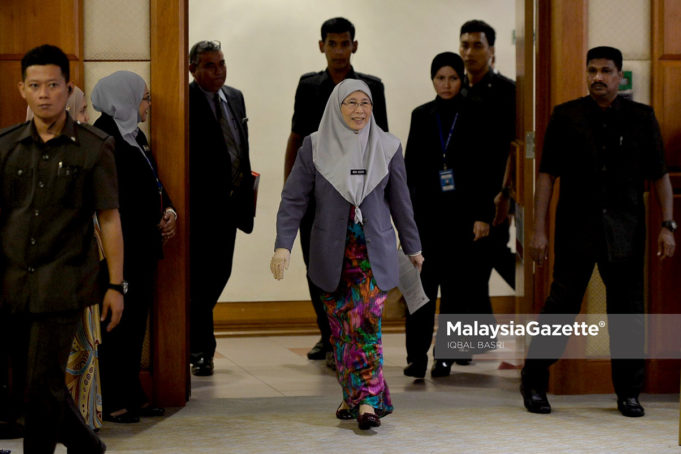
(221,191)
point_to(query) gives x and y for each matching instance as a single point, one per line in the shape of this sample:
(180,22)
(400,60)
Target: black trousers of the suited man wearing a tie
(209,270)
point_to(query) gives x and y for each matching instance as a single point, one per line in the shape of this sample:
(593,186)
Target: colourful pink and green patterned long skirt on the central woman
(354,312)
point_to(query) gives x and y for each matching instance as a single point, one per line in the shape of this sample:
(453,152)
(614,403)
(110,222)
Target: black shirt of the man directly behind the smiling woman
(313,92)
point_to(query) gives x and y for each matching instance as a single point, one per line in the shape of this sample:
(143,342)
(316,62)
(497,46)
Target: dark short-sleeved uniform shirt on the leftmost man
(50,190)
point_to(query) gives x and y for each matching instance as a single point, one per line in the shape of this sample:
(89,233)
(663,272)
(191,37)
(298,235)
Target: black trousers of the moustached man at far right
(623,281)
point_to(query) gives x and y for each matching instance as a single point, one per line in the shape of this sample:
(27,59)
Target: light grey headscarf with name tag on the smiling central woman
(337,150)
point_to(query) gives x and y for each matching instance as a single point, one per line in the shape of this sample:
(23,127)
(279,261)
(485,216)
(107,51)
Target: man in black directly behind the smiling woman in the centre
(337,44)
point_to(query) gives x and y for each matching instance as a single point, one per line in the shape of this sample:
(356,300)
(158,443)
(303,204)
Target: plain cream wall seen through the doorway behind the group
(268,44)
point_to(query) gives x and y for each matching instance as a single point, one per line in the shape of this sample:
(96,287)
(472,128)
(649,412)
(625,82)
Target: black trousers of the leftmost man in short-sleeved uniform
(39,347)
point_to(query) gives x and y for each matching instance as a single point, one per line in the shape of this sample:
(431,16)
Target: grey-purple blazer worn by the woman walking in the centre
(327,242)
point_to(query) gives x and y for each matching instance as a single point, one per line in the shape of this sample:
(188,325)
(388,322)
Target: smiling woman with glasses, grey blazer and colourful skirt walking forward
(355,173)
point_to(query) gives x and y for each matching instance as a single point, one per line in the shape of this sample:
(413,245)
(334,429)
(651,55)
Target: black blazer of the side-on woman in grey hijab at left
(141,207)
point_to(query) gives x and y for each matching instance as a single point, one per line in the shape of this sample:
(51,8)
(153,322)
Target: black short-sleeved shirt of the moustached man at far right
(603,158)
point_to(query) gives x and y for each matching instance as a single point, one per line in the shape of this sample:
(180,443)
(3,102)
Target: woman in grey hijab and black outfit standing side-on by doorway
(148,221)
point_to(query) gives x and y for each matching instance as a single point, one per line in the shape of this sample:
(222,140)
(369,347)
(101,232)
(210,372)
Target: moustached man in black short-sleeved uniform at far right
(602,147)
